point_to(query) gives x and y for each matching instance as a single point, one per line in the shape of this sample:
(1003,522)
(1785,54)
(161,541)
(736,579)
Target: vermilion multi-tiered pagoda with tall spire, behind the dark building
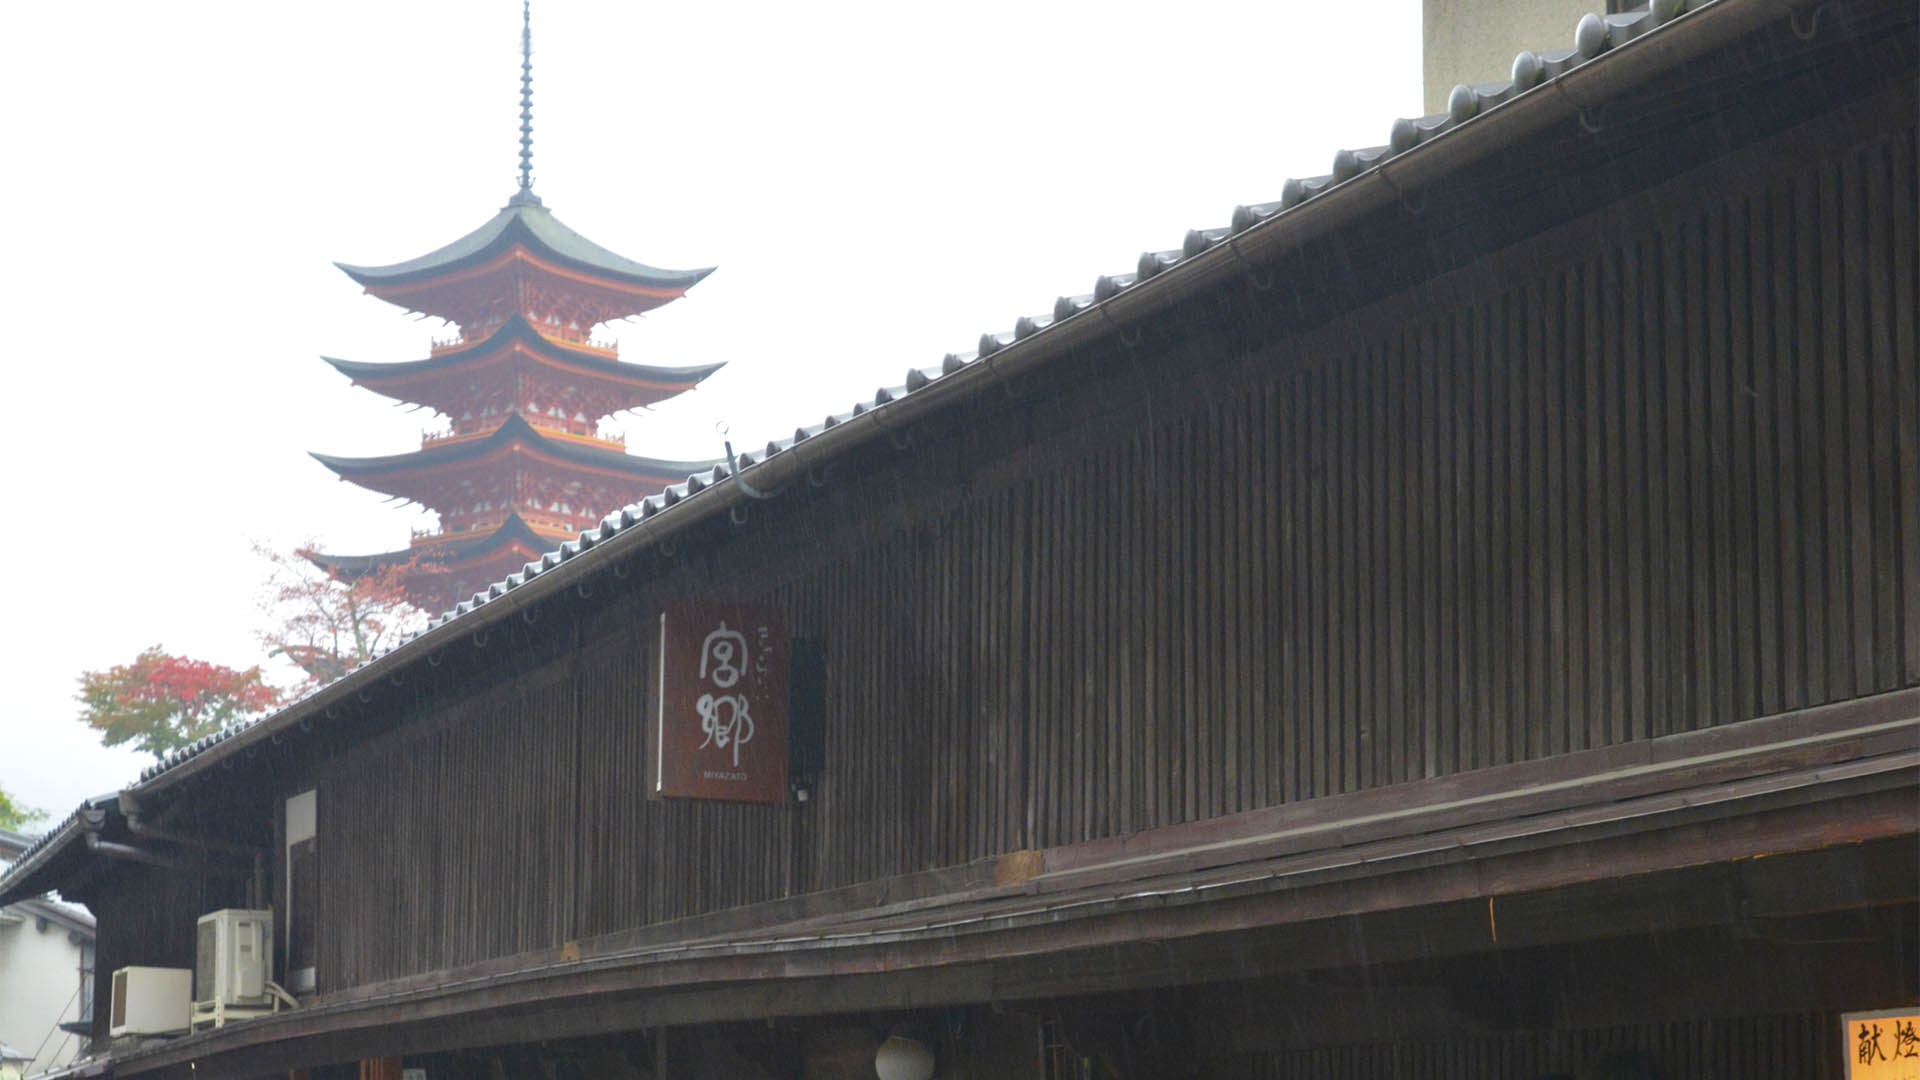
(521,466)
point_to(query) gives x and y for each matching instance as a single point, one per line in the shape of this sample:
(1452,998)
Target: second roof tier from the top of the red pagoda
(444,380)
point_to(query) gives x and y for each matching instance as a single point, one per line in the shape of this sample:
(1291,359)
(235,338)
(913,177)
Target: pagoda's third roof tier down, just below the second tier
(425,476)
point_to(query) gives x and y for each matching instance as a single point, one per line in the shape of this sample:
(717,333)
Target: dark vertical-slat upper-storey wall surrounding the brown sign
(1656,483)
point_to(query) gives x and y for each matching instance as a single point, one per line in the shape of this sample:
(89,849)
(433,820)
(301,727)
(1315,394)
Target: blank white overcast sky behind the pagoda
(878,184)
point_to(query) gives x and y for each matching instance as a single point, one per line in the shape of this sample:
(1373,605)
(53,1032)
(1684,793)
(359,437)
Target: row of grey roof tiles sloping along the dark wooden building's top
(1533,72)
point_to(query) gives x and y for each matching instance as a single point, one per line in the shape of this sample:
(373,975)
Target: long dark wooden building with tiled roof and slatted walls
(1458,620)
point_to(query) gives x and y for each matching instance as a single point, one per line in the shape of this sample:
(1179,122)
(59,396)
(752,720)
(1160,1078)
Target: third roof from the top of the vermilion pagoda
(398,474)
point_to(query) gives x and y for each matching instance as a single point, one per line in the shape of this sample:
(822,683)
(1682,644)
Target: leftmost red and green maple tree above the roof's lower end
(162,702)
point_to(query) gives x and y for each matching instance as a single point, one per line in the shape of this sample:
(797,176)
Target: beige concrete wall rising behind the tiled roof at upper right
(1476,41)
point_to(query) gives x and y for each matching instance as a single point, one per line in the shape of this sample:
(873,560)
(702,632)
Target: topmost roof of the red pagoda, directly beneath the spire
(523,237)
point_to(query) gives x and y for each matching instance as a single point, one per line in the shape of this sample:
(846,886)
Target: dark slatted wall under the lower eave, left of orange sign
(1750,1048)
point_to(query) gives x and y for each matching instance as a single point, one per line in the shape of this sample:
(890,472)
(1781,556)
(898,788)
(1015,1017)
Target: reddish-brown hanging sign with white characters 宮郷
(721,706)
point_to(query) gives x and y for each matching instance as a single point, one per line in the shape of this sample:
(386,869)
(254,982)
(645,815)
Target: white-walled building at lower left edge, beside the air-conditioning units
(39,975)
